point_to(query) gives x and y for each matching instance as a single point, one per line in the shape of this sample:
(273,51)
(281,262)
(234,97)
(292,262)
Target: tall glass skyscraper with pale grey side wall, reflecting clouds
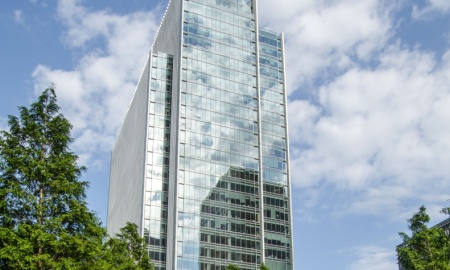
(202,160)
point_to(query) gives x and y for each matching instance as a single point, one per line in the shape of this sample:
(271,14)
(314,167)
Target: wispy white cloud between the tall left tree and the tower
(96,93)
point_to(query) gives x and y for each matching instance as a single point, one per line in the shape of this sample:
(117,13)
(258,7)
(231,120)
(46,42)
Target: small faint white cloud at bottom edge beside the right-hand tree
(374,258)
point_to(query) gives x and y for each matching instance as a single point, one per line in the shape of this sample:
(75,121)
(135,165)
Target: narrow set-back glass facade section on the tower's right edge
(277,237)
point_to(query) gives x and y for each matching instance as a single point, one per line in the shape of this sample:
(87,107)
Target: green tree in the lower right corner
(426,248)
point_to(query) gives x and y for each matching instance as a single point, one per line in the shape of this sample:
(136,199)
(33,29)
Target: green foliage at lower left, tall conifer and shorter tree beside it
(44,219)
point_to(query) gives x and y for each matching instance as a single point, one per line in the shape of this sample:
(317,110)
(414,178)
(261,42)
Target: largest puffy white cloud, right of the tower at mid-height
(381,134)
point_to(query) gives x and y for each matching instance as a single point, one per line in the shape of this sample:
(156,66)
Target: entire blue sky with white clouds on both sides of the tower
(369,106)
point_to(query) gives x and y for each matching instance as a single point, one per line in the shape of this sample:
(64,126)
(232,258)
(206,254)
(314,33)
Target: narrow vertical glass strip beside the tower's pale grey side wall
(158,149)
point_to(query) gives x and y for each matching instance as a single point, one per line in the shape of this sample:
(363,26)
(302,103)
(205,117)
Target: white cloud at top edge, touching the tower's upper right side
(327,36)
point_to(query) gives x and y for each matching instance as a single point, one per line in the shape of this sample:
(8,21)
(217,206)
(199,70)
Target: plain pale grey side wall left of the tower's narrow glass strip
(125,200)
